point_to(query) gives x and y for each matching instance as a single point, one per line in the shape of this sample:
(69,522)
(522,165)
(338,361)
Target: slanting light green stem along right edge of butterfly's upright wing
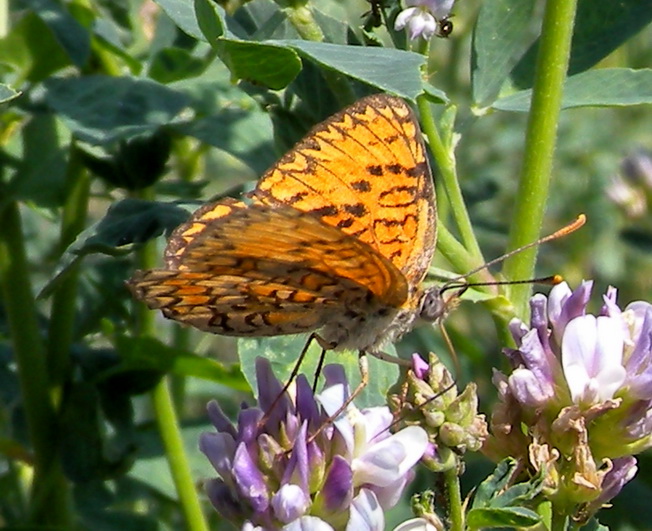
(447,171)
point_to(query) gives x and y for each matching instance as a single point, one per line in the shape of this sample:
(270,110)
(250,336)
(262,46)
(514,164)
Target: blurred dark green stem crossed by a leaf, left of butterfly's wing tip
(62,313)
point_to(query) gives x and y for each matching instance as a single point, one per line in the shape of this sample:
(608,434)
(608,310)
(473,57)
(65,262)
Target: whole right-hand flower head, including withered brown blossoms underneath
(579,397)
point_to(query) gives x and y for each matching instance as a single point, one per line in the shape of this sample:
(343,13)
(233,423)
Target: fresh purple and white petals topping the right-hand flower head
(589,358)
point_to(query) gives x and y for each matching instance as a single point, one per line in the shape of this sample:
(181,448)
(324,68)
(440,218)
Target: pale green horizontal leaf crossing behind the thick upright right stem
(604,87)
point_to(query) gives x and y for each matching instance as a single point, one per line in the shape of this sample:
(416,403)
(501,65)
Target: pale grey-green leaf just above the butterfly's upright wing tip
(390,70)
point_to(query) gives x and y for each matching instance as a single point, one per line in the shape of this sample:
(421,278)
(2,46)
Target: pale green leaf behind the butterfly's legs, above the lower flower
(283,352)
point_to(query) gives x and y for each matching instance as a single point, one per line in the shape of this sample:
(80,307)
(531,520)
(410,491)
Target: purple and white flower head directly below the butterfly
(280,470)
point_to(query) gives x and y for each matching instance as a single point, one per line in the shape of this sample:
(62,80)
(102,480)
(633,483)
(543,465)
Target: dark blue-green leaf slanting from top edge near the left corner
(74,38)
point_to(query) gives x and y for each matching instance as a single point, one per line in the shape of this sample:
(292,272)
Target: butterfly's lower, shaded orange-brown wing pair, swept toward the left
(262,270)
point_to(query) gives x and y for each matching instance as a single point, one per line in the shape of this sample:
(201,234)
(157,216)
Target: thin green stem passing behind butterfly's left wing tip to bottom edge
(166,416)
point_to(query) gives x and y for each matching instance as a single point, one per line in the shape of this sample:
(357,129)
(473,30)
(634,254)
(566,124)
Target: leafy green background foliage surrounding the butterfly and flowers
(107,105)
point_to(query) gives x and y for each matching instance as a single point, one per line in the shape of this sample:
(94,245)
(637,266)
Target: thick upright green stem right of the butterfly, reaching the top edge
(552,64)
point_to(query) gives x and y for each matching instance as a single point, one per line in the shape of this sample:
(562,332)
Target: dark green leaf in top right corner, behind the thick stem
(600,28)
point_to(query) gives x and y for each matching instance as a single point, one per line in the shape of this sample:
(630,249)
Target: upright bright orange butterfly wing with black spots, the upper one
(365,171)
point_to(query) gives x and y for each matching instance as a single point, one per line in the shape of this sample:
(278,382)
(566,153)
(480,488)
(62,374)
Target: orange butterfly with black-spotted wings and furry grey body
(335,239)
